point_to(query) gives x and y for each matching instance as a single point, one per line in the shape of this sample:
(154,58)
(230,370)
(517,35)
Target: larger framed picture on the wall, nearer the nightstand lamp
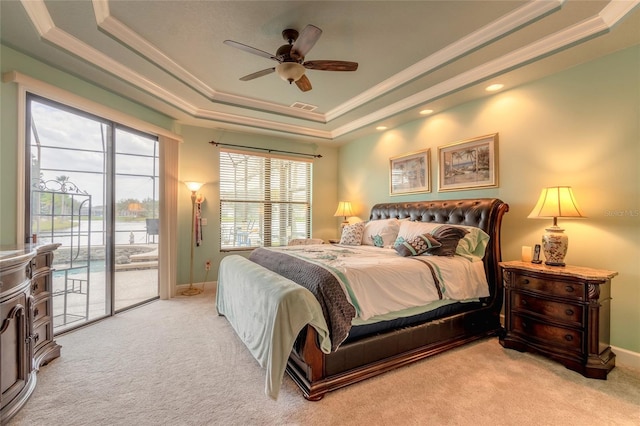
(469,164)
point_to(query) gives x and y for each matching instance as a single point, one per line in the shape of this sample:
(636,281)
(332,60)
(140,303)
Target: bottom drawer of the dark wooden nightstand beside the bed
(561,337)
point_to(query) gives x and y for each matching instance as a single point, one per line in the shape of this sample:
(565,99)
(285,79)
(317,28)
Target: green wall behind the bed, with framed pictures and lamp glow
(580,128)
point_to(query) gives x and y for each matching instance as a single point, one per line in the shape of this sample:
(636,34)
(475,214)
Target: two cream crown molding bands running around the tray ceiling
(610,15)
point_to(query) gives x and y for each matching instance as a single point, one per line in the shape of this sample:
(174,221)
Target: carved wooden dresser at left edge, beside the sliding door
(26,322)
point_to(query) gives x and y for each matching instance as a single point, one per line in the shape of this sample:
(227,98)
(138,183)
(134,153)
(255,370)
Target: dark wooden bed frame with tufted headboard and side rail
(317,373)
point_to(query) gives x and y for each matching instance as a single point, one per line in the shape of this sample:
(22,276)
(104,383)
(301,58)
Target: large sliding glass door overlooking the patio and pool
(93,188)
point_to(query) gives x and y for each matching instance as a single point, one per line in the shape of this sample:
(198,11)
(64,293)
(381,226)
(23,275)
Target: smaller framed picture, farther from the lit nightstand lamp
(410,173)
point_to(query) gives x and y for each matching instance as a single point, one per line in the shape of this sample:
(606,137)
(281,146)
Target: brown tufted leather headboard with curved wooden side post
(484,213)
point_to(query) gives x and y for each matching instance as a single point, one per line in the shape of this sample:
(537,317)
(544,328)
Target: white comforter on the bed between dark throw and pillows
(379,281)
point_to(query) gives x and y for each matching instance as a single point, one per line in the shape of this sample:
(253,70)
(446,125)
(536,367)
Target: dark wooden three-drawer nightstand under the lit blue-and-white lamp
(560,312)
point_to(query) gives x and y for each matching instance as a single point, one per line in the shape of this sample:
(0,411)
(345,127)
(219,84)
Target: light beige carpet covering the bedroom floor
(177,362)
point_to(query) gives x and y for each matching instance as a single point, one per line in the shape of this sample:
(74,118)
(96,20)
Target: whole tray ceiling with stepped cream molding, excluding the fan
(412,55)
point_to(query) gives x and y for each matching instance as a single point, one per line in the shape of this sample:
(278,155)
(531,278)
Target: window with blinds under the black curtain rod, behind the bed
(265,200)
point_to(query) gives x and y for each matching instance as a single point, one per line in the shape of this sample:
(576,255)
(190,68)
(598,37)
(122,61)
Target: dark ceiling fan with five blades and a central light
(290,57)
